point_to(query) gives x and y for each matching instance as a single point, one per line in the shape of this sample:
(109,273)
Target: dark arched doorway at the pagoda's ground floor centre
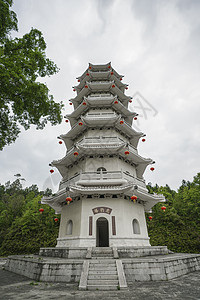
(102,235)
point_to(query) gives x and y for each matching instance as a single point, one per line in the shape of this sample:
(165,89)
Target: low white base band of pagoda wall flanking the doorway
(91,242)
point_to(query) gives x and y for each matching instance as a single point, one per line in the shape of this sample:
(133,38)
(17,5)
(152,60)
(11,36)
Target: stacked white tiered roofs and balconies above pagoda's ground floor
(100,104)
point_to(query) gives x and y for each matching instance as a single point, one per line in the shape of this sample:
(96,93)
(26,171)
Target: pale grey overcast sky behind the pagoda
(154,44)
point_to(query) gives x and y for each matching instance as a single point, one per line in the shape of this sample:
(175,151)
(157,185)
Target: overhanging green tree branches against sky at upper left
(24,100)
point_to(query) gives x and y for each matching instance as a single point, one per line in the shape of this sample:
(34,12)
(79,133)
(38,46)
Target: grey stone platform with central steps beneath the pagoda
(103,268)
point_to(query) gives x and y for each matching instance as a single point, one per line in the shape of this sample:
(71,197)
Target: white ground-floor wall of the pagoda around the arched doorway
(123,210)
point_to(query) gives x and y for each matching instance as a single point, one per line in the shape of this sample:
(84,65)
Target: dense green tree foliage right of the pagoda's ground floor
(179,226)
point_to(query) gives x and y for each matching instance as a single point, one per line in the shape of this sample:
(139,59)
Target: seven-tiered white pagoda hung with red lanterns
(102,197)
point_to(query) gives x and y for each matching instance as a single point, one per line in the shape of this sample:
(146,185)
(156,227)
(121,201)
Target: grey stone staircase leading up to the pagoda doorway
(102,271)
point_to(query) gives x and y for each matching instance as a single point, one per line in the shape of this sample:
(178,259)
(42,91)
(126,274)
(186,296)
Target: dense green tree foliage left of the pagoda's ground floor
(22,228)
